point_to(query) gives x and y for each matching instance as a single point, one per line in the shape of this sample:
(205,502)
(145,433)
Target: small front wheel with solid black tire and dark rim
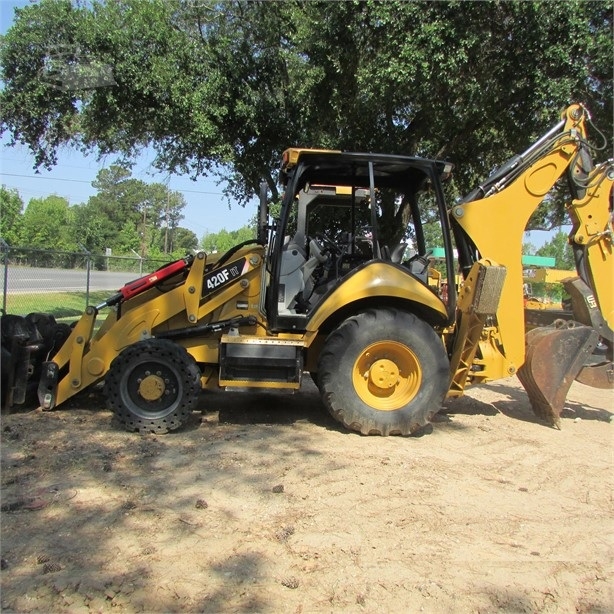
(152,386)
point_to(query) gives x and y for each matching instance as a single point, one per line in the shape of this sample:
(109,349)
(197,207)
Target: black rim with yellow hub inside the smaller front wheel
(152,389)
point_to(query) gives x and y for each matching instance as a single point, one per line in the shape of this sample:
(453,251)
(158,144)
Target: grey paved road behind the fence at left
(34,280)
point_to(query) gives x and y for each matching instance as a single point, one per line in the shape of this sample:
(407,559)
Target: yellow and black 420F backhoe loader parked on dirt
(320,292)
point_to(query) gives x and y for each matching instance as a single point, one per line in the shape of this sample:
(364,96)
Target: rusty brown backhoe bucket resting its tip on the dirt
(554,356)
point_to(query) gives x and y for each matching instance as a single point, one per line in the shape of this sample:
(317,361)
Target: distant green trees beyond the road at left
(126,215)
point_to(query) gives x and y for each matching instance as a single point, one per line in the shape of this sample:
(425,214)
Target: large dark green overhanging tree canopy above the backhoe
(223,88)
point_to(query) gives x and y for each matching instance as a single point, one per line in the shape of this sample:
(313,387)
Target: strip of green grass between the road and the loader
(63,305)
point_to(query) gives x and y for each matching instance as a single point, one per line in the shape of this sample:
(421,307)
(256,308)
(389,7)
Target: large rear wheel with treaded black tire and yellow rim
(383,372)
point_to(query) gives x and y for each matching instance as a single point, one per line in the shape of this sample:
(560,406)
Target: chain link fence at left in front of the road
(64,283)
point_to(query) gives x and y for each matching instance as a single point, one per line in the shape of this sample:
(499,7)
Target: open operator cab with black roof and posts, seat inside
(342,211)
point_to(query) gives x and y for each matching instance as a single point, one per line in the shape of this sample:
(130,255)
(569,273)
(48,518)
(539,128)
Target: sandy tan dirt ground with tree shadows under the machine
(264,504)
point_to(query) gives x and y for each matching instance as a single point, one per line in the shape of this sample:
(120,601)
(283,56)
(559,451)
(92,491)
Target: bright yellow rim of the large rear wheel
(387,375)
